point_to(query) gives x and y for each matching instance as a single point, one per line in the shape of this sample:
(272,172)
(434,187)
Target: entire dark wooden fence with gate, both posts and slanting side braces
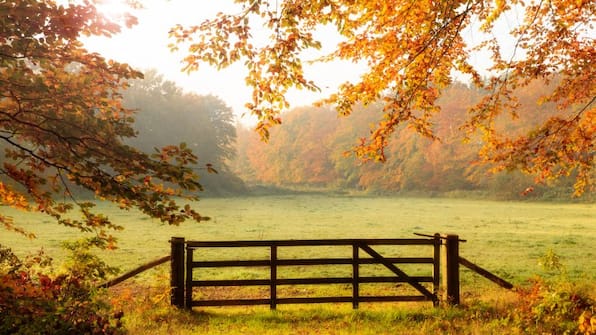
(445,255)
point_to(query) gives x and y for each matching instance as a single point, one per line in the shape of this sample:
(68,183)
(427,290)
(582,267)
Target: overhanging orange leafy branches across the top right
(413,50)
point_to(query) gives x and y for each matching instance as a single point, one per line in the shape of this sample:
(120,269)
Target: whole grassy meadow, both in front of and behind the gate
(507,238)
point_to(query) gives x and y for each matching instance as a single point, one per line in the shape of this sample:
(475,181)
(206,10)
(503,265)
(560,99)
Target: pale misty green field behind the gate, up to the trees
(507,238)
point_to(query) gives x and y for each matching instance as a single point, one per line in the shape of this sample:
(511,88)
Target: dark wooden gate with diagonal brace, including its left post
(186,256)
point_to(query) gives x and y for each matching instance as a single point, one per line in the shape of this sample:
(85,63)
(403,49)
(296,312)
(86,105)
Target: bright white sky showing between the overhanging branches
(145,46)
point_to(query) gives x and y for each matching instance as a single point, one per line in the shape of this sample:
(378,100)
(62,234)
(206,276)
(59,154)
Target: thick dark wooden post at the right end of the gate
(451,269)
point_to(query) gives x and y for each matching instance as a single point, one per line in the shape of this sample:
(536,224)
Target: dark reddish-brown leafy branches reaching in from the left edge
(62,124)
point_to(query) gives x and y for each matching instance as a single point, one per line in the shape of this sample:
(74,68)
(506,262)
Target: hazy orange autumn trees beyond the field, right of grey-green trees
(311,151)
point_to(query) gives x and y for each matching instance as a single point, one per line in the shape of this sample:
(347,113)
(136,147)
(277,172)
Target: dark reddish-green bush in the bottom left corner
(36,300)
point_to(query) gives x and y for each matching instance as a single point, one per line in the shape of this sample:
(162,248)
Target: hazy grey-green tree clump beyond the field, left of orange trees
(204,123)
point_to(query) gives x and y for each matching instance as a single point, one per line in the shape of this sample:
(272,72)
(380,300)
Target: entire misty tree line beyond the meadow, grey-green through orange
(311,150)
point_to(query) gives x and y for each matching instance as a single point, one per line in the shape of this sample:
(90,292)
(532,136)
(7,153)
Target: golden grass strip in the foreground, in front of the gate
(486,311)
